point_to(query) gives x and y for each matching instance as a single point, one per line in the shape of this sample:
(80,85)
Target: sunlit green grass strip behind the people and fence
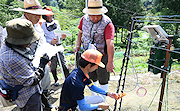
(137,62)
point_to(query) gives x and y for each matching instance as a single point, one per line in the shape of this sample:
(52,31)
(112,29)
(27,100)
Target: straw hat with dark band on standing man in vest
(95,7)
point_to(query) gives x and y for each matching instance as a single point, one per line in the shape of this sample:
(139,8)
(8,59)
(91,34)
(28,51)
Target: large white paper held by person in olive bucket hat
(45,48)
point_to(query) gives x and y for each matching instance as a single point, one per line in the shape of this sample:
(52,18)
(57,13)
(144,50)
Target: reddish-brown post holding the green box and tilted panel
(163,74)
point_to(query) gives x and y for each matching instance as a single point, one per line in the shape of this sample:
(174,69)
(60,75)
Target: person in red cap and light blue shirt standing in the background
(49,26)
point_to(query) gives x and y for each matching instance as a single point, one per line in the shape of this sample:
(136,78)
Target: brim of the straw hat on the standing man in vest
(97,11)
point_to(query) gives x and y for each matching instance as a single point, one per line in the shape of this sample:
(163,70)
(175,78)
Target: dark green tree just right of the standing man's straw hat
(121,11)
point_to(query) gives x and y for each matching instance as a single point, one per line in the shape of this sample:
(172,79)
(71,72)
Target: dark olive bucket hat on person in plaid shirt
(20,32)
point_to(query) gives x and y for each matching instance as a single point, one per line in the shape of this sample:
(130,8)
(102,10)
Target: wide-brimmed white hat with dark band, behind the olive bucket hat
(33,7)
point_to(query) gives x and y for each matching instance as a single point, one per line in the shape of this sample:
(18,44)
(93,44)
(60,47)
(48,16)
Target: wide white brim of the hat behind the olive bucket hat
(34,11)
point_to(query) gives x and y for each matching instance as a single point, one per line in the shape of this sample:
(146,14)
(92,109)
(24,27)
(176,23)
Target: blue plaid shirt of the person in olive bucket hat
(17,70)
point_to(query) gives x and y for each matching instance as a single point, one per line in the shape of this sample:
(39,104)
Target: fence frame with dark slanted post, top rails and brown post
(165,70)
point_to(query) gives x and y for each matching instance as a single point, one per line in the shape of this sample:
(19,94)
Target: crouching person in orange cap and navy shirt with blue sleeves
(72,93)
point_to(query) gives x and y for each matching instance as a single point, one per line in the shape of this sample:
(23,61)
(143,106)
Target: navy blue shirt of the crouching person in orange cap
(73,88)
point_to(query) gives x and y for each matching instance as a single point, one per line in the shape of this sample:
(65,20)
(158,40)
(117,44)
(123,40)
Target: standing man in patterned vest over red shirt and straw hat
(96,30)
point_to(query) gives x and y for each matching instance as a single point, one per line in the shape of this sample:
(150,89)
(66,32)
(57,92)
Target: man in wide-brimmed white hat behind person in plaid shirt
(33,12)
